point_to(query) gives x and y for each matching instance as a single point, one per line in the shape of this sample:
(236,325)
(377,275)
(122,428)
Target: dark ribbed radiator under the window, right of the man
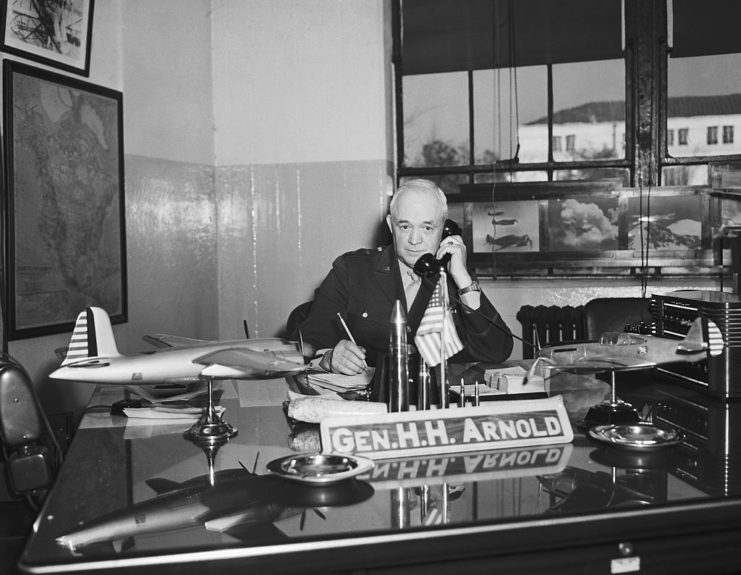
(552,324)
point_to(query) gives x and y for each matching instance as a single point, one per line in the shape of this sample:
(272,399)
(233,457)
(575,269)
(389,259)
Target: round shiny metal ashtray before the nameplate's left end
(319,468)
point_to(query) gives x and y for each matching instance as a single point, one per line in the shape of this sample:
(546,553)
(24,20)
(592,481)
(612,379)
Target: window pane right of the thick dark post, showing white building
(704,92)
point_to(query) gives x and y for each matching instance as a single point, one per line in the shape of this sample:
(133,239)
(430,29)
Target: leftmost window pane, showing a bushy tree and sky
(436,120)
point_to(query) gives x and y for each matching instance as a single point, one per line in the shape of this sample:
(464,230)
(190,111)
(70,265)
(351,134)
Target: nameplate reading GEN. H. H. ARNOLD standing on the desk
(496,425)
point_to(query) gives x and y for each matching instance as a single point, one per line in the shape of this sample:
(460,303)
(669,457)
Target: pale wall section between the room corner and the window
(303,116)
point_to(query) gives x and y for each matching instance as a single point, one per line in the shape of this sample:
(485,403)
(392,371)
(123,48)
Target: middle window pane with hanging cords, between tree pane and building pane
(502,101)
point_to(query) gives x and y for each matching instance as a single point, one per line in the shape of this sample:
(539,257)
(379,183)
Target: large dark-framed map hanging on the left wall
(63,210)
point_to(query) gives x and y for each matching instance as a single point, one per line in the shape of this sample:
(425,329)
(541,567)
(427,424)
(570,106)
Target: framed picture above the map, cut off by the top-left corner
(53,32)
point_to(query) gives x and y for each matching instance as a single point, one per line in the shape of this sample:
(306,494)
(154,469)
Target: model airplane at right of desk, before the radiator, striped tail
(619,351)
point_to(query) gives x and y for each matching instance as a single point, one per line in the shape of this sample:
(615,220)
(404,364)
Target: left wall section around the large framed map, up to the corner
(158,55)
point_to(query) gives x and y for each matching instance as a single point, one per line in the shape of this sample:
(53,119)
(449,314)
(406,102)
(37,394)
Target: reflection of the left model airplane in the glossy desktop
(238,503)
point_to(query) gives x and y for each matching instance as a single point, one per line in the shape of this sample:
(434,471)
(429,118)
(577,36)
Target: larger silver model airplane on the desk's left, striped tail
(92,357)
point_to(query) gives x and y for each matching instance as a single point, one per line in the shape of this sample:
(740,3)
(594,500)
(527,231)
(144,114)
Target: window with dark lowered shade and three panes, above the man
(481,84)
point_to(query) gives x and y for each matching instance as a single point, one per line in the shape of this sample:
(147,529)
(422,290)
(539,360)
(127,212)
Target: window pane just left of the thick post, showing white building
(589,110)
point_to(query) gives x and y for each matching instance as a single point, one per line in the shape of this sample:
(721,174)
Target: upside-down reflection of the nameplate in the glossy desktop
(475,466)
